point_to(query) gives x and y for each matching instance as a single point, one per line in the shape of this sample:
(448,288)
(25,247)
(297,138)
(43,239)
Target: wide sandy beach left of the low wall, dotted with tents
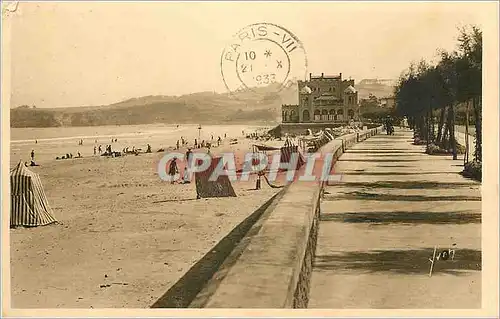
(120,224)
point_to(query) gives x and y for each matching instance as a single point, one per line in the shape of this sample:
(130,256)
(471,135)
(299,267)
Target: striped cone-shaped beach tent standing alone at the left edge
(28,203)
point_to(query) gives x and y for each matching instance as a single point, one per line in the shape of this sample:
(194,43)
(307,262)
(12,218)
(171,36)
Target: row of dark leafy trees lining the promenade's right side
(427,93)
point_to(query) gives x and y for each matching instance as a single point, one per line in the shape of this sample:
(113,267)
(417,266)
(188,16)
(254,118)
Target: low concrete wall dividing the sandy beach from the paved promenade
(275,267)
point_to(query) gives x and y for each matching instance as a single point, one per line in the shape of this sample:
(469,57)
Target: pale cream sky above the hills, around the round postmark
(68,54)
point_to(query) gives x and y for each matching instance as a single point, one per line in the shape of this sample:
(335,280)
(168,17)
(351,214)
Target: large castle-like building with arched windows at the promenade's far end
(323,99)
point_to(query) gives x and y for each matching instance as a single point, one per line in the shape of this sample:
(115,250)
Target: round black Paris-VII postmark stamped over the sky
(263,55)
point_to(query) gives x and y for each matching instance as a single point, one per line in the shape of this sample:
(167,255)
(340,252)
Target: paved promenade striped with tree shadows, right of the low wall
(380,224)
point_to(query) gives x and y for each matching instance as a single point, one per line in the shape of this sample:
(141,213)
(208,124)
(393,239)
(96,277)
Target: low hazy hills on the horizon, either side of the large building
(259,106)
